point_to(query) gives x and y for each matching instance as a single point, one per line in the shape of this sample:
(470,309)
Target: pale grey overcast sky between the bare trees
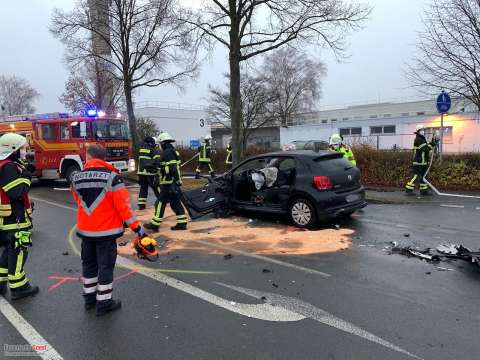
(373,72)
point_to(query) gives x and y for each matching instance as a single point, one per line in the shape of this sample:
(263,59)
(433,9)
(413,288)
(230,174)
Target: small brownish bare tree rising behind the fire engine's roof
(87,85)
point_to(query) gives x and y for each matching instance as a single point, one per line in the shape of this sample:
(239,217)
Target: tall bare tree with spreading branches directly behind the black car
(252,27)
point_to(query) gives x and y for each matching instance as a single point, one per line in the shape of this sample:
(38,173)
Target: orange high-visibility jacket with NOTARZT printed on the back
(103,201)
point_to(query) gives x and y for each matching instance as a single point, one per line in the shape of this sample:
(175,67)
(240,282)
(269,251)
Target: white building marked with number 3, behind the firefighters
(187,123)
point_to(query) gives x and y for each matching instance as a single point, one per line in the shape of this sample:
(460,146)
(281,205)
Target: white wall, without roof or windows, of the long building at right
(465,131)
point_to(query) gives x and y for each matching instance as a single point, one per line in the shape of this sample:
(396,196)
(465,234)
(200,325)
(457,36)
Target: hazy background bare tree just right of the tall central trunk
(294,79)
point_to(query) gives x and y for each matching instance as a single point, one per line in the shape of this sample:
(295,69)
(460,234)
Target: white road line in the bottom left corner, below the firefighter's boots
(28,332)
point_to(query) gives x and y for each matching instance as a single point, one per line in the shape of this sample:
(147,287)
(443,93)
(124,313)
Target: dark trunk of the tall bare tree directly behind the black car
(235,96)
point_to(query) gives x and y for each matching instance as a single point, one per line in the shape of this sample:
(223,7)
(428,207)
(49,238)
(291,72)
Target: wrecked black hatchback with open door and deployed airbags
(307,186)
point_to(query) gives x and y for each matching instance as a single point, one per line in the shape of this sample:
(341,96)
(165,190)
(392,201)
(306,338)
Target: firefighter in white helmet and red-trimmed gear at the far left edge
(15,218)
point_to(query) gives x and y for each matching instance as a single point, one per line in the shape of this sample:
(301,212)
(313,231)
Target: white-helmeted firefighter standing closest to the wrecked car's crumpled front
(170,182)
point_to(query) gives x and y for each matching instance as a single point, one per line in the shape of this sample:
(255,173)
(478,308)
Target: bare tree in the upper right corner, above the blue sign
(448,50)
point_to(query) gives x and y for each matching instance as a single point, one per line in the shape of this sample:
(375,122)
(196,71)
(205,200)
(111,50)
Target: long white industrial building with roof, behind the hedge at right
(388,125)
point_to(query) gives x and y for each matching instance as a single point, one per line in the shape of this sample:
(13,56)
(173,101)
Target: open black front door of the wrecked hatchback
(213,197)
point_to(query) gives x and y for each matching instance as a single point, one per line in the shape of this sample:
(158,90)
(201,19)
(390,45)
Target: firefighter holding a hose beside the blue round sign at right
(421,159)
